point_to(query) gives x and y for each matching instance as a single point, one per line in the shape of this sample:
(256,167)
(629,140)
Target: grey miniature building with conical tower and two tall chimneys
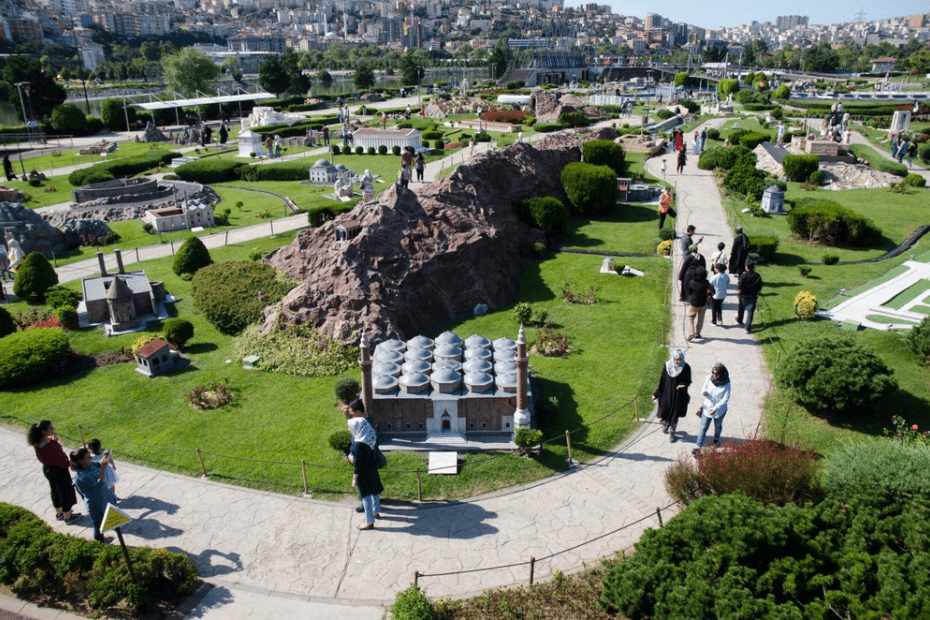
(120,298)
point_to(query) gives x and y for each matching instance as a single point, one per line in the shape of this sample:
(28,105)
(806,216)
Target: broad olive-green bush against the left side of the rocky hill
(228,293)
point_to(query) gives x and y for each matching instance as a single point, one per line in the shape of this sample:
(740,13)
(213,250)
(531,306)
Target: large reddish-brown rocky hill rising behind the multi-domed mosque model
(426,255)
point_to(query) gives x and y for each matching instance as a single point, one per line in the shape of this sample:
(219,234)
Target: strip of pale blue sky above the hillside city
(717,13)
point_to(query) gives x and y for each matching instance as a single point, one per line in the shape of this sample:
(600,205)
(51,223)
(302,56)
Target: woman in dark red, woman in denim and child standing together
(92,473)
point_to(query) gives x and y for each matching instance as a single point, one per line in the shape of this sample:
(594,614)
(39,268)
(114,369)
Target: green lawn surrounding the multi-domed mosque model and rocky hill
(287,419)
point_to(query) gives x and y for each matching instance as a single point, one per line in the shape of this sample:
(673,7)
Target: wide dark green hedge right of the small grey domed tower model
(830,223)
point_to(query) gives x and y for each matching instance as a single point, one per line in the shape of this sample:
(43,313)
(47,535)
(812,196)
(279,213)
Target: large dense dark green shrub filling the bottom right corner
(732,557)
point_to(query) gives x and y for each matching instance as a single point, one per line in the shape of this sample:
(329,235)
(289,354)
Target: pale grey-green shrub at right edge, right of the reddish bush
(881,472)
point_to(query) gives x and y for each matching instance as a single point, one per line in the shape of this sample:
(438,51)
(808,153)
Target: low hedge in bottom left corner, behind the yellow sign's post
(38,562)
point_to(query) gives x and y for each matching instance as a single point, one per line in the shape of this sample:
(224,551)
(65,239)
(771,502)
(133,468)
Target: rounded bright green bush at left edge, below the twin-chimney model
(30,356)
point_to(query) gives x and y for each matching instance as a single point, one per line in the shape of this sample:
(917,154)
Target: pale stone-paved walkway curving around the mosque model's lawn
(296,557)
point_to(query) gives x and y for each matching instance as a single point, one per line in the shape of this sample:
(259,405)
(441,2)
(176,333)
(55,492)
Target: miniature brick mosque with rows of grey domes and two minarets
(447,390)
